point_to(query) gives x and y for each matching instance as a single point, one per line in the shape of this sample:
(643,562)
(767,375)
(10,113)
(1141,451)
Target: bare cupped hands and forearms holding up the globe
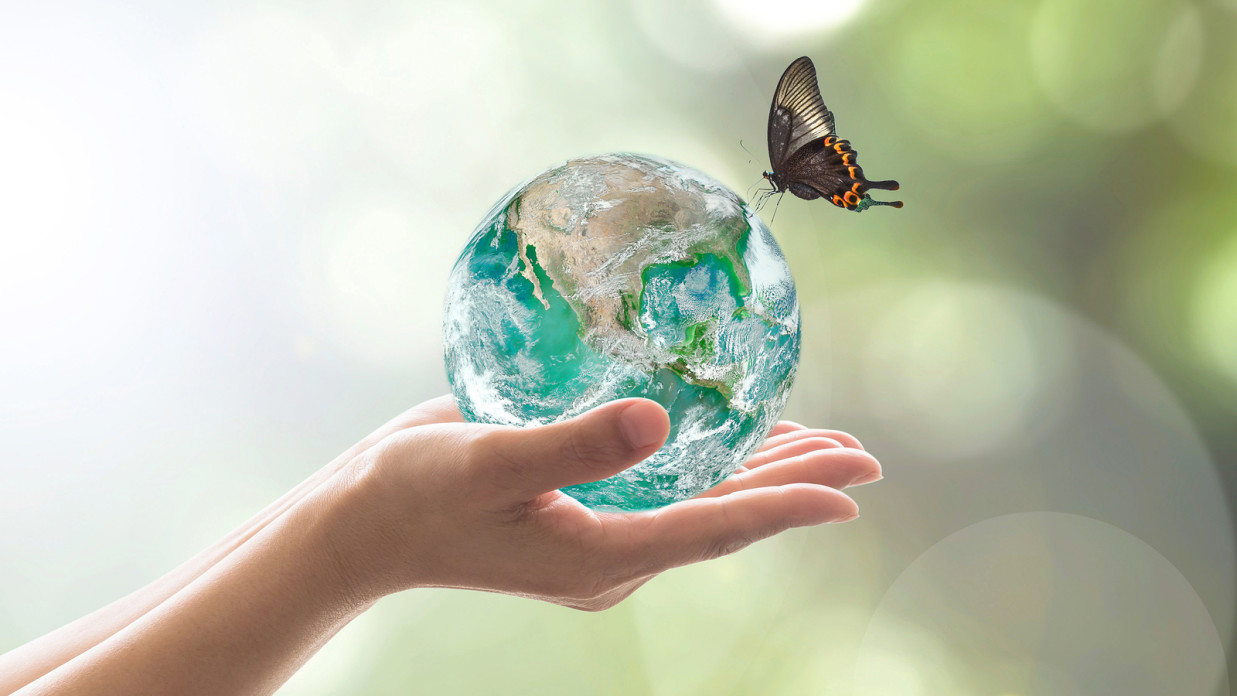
(430,501)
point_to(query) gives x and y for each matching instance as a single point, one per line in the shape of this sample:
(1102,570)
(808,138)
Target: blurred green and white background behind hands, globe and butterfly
(227,231)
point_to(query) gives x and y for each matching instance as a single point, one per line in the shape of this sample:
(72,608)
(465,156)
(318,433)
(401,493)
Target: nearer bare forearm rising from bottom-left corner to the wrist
(242,627)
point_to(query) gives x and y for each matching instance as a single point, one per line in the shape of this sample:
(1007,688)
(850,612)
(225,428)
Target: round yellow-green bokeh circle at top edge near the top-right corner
(1115,66)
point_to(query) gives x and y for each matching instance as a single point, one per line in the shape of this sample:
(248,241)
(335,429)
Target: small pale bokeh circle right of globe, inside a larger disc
(965,368)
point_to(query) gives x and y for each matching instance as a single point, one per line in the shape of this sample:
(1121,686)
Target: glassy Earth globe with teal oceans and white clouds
(628,276)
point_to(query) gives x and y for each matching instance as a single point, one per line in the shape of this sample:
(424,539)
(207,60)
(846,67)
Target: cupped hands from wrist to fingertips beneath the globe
(439,503)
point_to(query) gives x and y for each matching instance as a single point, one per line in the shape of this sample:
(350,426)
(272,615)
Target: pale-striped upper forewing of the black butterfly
(798,114)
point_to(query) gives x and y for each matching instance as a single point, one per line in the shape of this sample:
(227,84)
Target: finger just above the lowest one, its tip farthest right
(834,468)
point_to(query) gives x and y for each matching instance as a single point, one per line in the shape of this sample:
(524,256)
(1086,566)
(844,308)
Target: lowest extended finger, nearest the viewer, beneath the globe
(708,528)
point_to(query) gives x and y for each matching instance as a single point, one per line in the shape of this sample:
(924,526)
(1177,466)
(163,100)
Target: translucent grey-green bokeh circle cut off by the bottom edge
(1042,604)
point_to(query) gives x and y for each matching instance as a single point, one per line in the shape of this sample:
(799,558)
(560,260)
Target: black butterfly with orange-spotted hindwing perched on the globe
(807,156)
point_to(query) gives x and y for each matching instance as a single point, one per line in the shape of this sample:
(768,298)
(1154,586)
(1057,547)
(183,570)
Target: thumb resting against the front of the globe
(592,447)
